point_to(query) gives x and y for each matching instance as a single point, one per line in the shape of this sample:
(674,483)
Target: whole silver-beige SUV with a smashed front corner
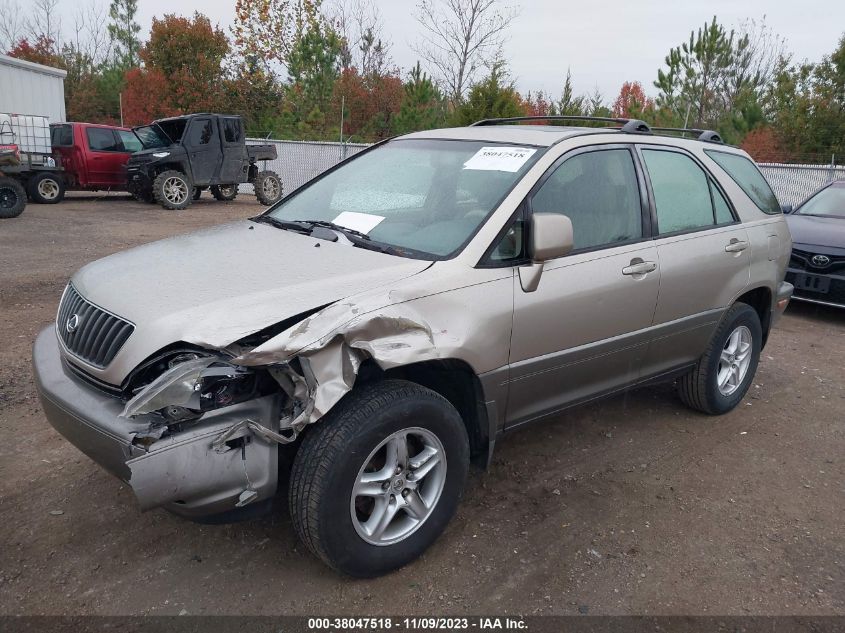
(392,319)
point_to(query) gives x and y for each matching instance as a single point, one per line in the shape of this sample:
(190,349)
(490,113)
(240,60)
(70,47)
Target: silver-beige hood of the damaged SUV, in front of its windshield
(218,285)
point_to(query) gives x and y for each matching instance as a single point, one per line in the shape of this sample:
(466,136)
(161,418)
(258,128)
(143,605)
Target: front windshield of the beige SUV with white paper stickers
(426,198)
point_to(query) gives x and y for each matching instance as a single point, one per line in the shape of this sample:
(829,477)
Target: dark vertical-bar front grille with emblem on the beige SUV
(97,336)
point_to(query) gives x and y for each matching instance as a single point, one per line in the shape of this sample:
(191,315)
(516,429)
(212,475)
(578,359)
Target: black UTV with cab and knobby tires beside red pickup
(185,155)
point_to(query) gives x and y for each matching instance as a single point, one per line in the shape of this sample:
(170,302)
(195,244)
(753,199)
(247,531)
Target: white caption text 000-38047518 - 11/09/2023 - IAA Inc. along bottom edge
(417,624)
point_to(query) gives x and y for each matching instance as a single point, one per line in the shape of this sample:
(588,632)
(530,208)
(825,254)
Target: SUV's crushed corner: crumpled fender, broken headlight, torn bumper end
(273,391)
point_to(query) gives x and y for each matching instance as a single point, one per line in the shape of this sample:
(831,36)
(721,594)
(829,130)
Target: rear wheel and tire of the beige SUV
(724,373)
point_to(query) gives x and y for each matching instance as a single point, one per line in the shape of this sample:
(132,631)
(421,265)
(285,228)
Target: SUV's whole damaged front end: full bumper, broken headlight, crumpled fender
(198,429)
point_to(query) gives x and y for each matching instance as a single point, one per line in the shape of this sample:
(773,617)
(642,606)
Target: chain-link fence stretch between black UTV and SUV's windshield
(299,161)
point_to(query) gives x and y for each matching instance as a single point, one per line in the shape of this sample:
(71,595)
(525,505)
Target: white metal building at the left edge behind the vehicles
(32,89)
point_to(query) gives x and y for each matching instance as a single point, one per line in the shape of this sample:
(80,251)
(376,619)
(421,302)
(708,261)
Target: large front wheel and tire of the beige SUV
(375,482)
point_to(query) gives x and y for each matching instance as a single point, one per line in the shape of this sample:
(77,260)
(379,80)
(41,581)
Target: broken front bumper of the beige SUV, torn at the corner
(210,466)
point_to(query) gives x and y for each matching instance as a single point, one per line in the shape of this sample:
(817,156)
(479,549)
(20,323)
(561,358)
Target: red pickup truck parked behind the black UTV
(92,157)
